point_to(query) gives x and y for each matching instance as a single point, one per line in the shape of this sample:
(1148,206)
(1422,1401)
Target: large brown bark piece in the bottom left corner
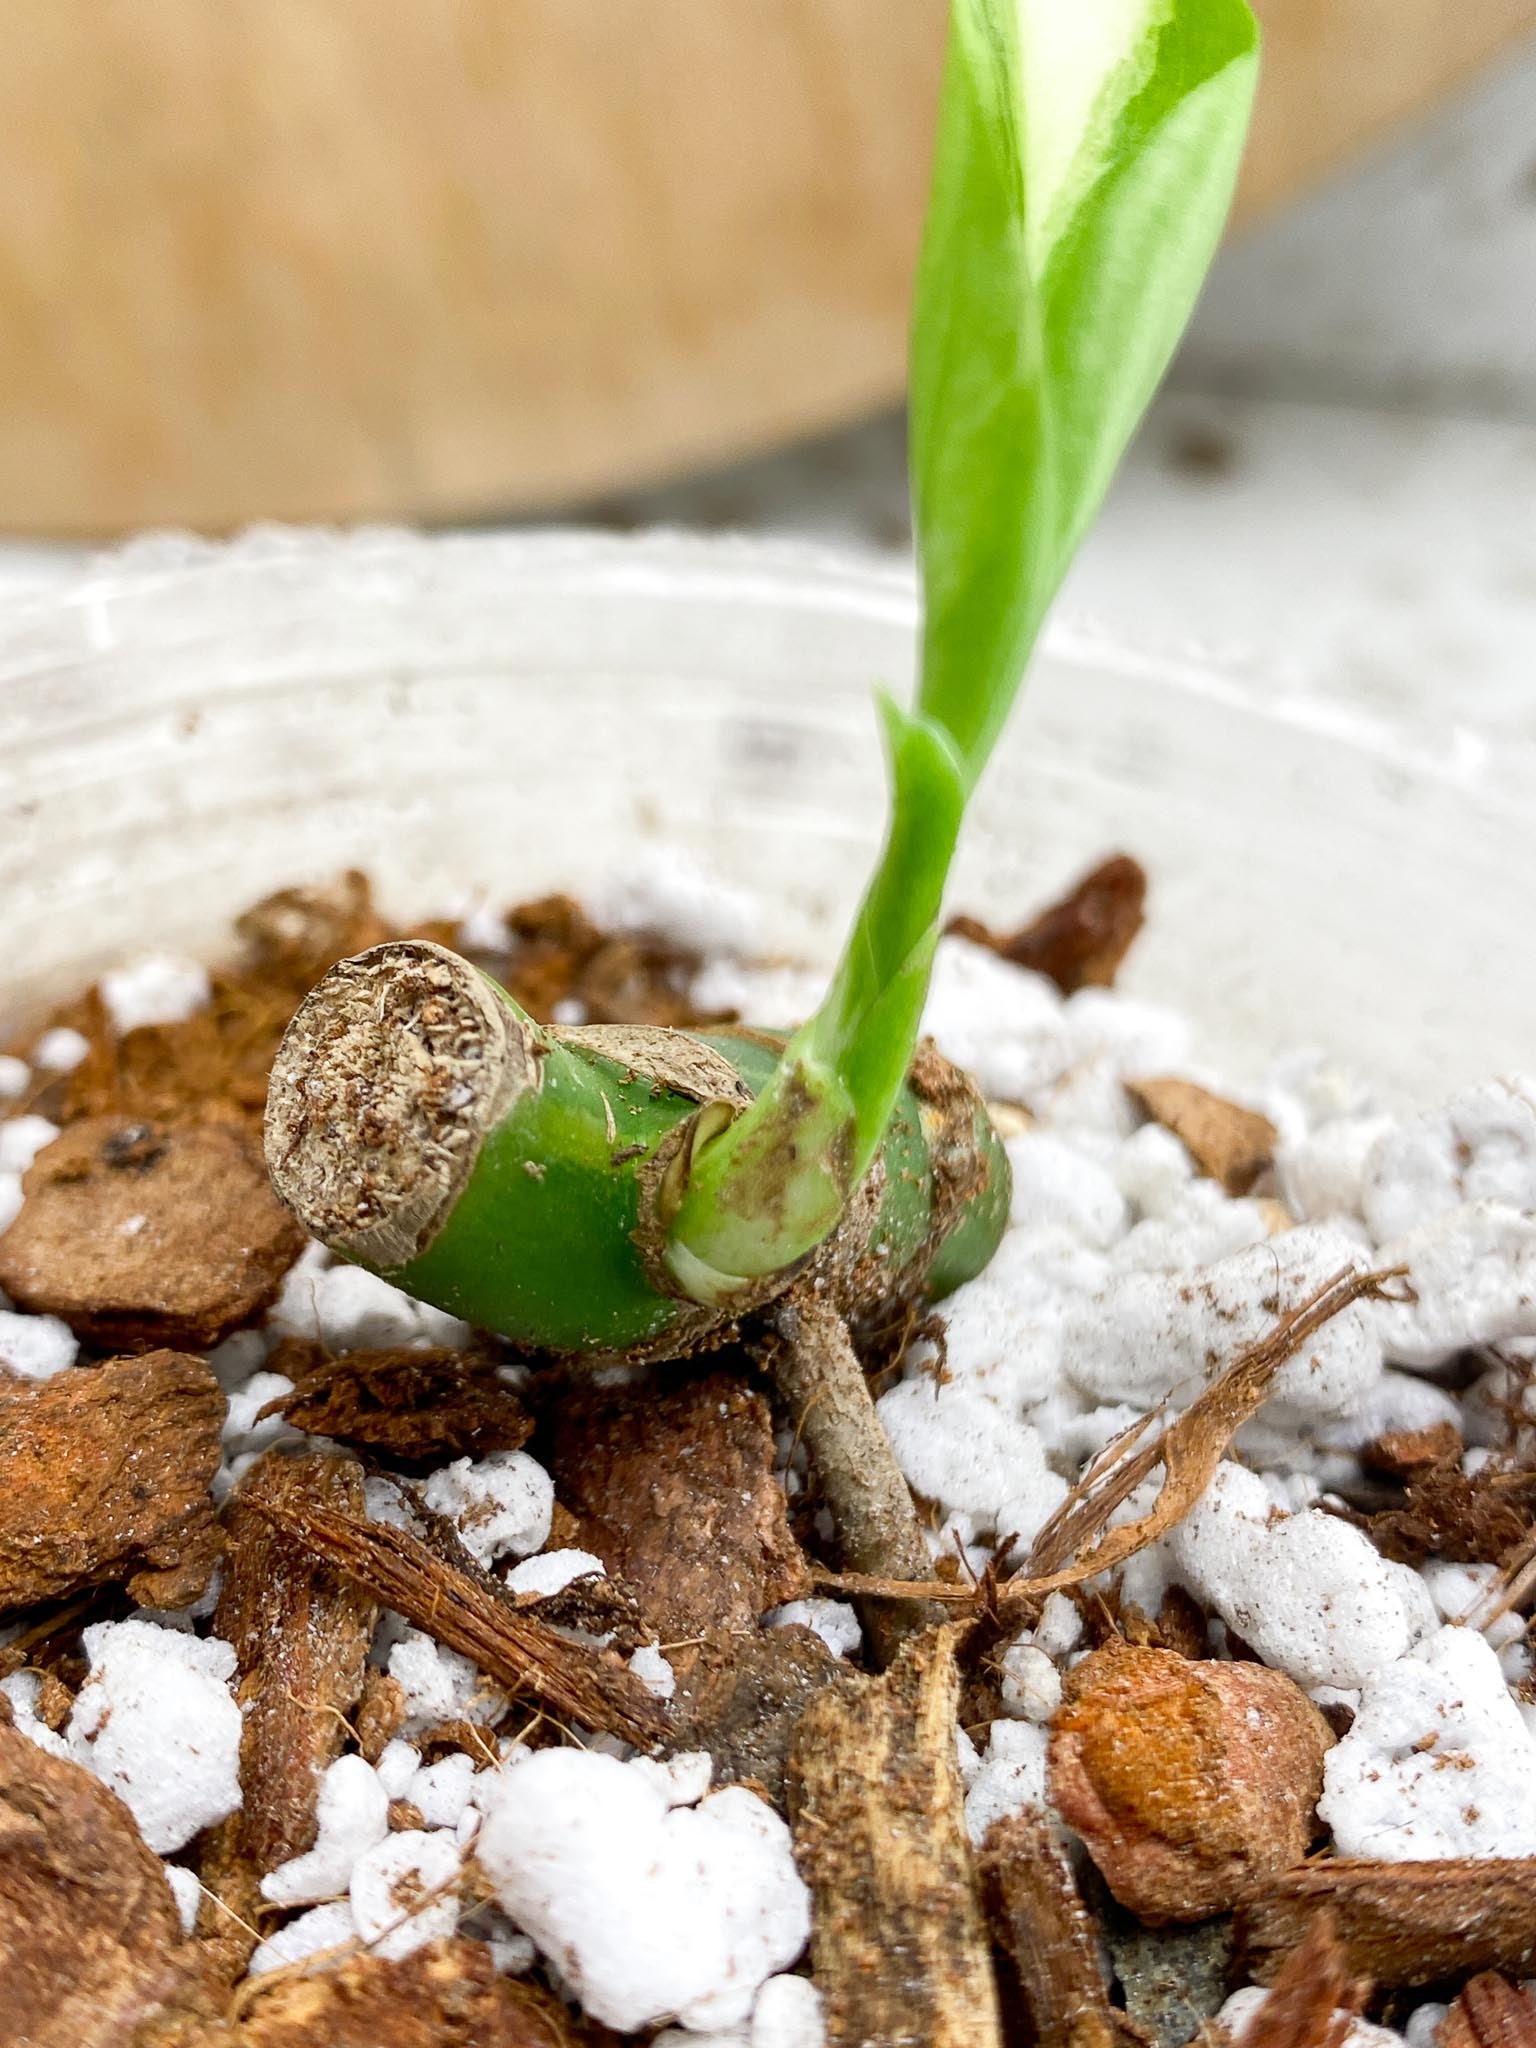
(89,1930)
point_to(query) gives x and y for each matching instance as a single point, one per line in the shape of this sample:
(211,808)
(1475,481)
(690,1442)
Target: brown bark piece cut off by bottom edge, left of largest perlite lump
(445,1996)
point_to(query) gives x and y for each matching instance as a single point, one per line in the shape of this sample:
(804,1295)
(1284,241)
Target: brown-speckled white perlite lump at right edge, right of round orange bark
(1439,1760)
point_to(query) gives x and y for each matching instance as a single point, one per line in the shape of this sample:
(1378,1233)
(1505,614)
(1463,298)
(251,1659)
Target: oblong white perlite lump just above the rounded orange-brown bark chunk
(1306,1590)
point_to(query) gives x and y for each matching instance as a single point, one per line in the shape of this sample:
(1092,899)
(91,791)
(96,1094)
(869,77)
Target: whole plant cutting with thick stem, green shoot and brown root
(607,1193)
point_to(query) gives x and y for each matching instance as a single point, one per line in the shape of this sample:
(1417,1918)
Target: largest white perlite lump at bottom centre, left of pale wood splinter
(650,1912)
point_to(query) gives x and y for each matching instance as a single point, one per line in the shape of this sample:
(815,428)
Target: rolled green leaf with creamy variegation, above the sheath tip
(1084,169)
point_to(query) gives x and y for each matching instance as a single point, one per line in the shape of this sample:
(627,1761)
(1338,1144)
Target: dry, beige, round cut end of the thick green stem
(386,1084)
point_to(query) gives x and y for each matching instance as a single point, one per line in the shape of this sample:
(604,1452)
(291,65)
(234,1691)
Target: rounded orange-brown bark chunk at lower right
(1187,1781)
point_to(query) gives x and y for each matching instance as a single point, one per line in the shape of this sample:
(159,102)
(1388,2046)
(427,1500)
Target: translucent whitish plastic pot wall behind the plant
(191,726)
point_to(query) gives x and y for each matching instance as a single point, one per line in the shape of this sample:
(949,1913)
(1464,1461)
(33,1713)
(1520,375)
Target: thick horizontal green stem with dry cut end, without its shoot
(523,1179)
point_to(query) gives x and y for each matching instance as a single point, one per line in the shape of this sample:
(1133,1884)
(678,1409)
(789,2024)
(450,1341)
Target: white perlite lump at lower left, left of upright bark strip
(159,1725)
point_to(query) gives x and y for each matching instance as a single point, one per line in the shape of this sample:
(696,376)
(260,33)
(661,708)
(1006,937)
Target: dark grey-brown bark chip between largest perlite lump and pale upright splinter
(740,1697)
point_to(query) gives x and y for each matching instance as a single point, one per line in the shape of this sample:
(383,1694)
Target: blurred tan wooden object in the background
(372,259)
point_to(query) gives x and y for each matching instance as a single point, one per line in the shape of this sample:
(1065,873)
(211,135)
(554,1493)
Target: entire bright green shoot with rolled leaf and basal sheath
(1084,169)
